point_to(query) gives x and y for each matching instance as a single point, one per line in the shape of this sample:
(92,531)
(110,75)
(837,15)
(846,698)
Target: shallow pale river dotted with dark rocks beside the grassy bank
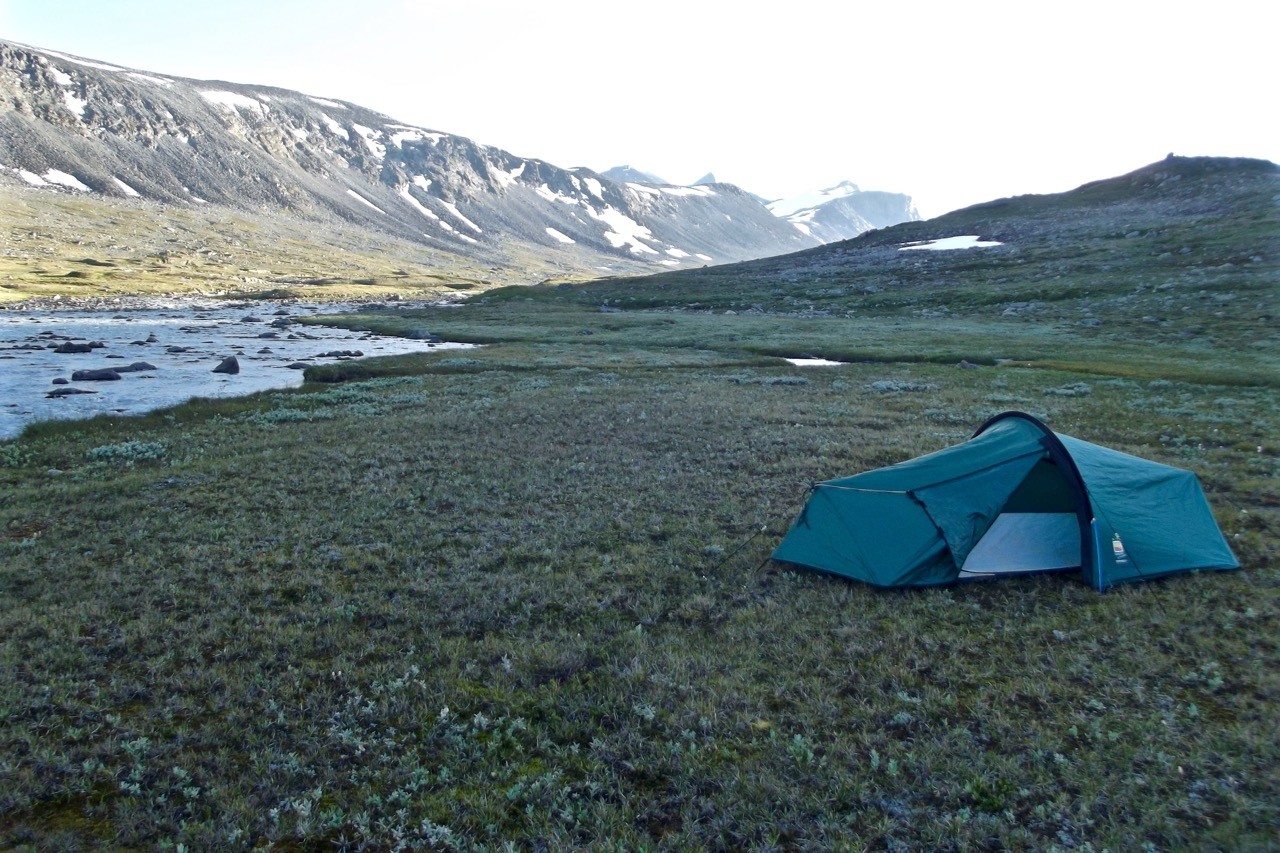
(181,341)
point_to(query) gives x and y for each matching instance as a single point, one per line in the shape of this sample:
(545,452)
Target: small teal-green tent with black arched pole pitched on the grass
(1014,499)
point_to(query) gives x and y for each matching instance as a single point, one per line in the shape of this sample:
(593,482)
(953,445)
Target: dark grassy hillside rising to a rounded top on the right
(1183,250)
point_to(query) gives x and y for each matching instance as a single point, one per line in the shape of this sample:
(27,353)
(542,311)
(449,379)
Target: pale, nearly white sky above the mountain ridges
(952,103)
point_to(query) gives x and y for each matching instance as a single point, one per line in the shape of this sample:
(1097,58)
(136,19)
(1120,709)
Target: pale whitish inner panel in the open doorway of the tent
(1021,542)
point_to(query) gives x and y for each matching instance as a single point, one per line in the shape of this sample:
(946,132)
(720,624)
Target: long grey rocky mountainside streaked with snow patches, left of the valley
(77,126)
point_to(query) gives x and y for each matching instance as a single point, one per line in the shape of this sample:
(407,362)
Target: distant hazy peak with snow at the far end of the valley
(844,212)
